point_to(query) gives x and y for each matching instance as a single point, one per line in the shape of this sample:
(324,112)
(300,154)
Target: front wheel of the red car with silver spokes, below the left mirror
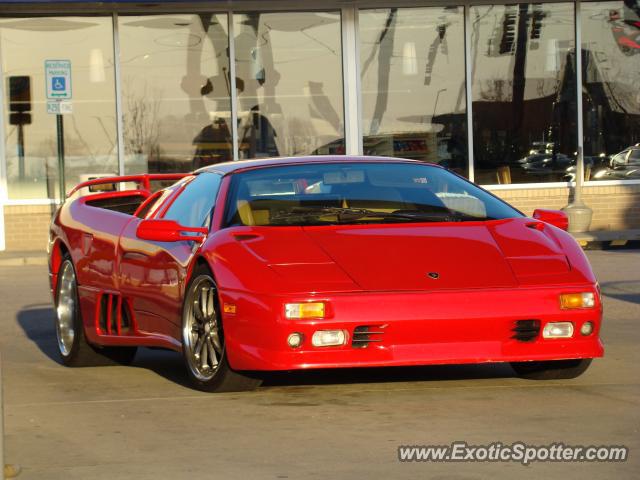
(202,336)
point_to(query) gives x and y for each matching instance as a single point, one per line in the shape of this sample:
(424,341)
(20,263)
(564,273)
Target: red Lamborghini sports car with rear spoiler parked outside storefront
(320,262)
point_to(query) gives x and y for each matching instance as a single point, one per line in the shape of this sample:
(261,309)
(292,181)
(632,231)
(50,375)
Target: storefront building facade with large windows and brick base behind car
(494,91)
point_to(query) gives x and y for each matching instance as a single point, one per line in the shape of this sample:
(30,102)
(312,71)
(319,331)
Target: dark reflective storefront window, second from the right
(524,96)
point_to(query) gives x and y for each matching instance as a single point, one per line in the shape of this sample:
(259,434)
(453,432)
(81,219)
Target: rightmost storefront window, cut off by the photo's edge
(611,98)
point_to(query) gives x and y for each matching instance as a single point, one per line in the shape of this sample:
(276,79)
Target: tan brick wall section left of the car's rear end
(27,226)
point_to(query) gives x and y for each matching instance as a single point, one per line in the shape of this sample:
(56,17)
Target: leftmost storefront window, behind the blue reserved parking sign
(87,127)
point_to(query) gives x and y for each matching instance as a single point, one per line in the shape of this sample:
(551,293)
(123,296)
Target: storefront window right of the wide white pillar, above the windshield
(412,65)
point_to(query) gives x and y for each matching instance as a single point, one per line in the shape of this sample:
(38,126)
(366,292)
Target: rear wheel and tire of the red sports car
(73,348)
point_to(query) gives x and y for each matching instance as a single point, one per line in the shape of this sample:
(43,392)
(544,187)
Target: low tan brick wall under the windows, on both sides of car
(614,208)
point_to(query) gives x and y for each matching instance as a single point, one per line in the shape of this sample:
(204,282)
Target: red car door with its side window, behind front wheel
(153,274)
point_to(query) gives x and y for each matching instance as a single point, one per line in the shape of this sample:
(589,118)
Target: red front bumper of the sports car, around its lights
(418,328)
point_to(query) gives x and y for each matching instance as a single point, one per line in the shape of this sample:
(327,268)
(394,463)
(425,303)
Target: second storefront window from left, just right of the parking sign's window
(175,92)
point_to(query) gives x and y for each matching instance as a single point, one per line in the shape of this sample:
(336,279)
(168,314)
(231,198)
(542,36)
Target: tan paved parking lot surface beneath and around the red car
(143,422)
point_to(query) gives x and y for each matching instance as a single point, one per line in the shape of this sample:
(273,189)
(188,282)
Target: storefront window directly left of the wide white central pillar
(289,69)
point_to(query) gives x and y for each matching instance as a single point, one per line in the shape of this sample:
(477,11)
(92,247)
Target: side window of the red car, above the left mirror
(192,208)
